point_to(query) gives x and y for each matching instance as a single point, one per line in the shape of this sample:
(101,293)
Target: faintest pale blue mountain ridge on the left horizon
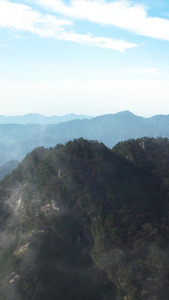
(39,119)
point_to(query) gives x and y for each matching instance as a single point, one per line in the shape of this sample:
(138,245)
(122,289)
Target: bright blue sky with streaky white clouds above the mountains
(89,57)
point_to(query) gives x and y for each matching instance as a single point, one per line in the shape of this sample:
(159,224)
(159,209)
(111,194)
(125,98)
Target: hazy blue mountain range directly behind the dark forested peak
(17,140)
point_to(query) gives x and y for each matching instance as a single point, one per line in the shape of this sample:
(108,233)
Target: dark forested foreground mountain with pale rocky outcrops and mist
(81,221)
